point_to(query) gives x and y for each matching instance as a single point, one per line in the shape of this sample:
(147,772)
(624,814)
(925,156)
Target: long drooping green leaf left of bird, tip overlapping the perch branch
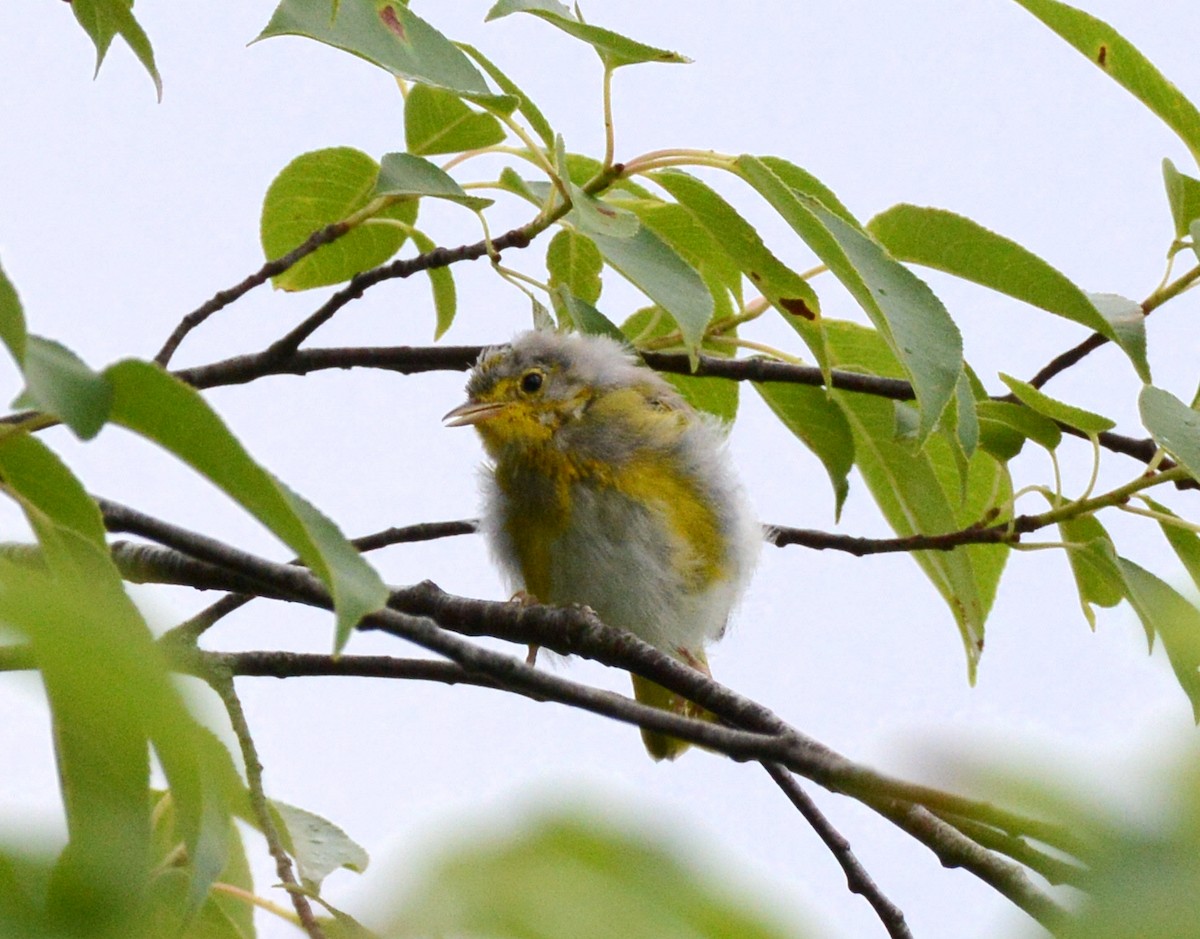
(166,411)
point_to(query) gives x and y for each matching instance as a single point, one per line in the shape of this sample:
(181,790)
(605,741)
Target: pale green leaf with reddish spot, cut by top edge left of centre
(392,37)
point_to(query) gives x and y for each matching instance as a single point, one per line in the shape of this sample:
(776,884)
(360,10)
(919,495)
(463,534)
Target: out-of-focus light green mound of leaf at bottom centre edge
(567,877)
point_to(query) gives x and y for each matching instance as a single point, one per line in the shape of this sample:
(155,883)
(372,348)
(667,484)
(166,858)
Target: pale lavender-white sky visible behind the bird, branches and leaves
(118,216)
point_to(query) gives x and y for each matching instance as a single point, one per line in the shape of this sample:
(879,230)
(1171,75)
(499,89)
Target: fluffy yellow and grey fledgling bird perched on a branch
(607,489)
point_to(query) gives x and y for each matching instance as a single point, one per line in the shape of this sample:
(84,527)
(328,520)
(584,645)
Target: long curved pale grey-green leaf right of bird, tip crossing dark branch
(903,308)
